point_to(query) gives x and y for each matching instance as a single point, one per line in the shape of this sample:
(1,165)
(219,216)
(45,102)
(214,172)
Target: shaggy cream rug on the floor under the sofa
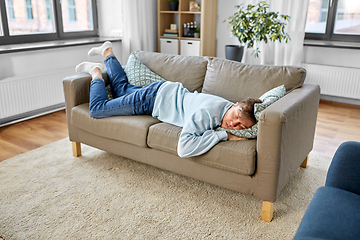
(49,194)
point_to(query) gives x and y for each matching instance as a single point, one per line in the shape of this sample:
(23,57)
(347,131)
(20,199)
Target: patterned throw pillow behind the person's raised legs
(138,74)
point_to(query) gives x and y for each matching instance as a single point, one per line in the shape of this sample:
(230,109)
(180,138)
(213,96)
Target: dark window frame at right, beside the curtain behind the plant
(329,34)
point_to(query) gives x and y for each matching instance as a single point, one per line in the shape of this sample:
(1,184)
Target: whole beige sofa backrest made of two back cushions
(228,79)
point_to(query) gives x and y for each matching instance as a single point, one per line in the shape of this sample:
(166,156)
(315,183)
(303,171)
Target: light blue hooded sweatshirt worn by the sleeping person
(197,113)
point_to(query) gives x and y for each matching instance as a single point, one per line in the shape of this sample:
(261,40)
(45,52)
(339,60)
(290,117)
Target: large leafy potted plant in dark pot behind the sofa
(252,24)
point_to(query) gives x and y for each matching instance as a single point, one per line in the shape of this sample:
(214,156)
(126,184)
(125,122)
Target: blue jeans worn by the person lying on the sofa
(128,99)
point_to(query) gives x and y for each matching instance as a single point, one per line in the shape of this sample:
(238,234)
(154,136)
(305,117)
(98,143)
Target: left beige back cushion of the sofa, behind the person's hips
(189,70)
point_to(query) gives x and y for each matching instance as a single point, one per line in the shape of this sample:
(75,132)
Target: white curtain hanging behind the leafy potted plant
(283,53)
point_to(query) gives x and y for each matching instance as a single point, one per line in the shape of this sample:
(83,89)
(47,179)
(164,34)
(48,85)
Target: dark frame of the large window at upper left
(59,33)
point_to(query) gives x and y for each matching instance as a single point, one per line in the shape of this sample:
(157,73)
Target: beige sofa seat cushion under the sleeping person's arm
(234,156)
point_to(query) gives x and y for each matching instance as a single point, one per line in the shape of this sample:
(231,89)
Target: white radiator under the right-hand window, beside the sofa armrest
(334,81)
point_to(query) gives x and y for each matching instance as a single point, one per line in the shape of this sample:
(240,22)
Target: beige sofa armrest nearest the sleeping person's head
(285,138)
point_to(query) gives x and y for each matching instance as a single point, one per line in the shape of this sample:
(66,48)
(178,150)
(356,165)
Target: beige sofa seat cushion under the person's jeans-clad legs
(129,129)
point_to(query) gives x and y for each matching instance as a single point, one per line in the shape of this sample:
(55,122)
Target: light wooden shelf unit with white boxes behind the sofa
(207,17)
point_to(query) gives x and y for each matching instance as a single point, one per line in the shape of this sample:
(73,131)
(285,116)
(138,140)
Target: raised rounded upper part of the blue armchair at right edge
(344,169)
